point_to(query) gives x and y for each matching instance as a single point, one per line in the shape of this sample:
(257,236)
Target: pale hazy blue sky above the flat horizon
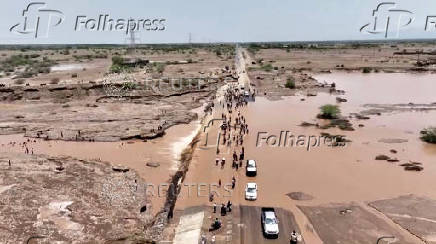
(216,21)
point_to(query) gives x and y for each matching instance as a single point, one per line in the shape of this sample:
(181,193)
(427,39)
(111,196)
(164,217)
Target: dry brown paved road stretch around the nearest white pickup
(250,230)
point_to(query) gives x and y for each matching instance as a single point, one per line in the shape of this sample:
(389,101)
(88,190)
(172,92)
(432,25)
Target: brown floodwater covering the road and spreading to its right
(331,175)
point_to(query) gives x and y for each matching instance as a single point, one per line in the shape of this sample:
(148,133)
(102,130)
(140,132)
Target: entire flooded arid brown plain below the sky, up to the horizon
(117,144)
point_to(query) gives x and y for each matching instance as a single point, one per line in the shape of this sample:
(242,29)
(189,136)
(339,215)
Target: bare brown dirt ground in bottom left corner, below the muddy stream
(62,199)
